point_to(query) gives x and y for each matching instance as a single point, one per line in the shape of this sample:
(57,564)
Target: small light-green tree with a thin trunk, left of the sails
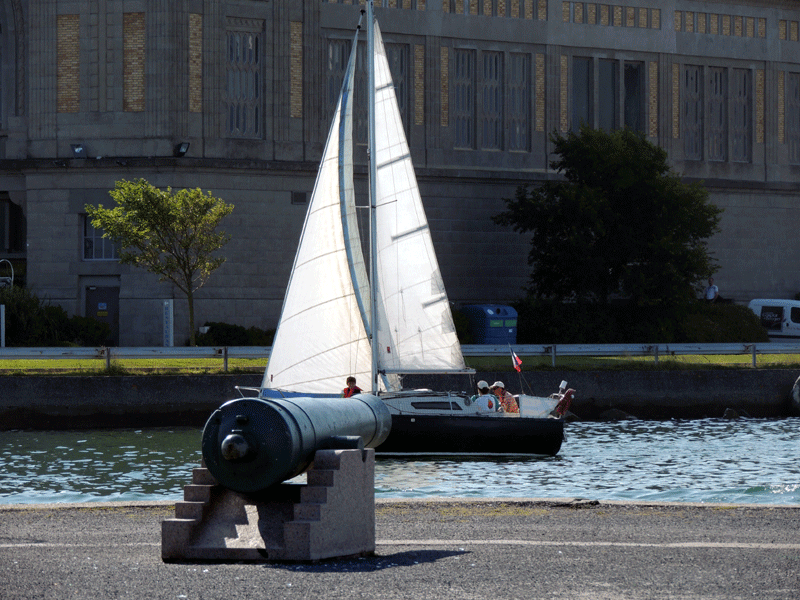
(170,235)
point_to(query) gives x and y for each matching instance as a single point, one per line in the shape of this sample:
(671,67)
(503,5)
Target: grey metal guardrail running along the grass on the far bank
(551,350)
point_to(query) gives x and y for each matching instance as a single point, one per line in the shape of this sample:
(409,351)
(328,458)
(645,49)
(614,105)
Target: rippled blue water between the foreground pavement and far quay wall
(745,461)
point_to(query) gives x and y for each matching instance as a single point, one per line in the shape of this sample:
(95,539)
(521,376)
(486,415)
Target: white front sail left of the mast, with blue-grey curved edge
(321,338)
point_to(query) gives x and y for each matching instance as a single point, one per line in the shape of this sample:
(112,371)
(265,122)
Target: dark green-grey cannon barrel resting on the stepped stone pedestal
(250,444)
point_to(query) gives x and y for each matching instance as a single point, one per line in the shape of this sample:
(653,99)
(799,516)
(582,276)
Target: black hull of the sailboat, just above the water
(473,435)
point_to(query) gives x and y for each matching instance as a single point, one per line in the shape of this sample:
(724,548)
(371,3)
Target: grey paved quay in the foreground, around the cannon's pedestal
(433,548)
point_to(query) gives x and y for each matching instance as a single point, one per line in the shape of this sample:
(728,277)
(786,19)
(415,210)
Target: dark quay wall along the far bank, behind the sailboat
(76,402)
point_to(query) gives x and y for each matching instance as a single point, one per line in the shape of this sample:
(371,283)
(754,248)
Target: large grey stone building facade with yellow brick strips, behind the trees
(94,91)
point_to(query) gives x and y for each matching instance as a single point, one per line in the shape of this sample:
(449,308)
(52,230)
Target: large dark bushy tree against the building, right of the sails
(620,222)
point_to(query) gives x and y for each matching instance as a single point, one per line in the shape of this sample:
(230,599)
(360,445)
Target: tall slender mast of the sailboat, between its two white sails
(373,170)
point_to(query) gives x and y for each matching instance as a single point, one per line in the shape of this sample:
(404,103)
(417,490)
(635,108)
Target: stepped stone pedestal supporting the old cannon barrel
(332,515)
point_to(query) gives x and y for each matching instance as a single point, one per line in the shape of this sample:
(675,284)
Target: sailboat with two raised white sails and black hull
(339,321)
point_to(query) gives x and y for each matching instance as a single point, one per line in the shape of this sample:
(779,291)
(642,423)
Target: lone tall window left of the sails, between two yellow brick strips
(243,89)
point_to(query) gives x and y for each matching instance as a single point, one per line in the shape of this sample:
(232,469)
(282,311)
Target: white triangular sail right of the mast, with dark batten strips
(418,332)
